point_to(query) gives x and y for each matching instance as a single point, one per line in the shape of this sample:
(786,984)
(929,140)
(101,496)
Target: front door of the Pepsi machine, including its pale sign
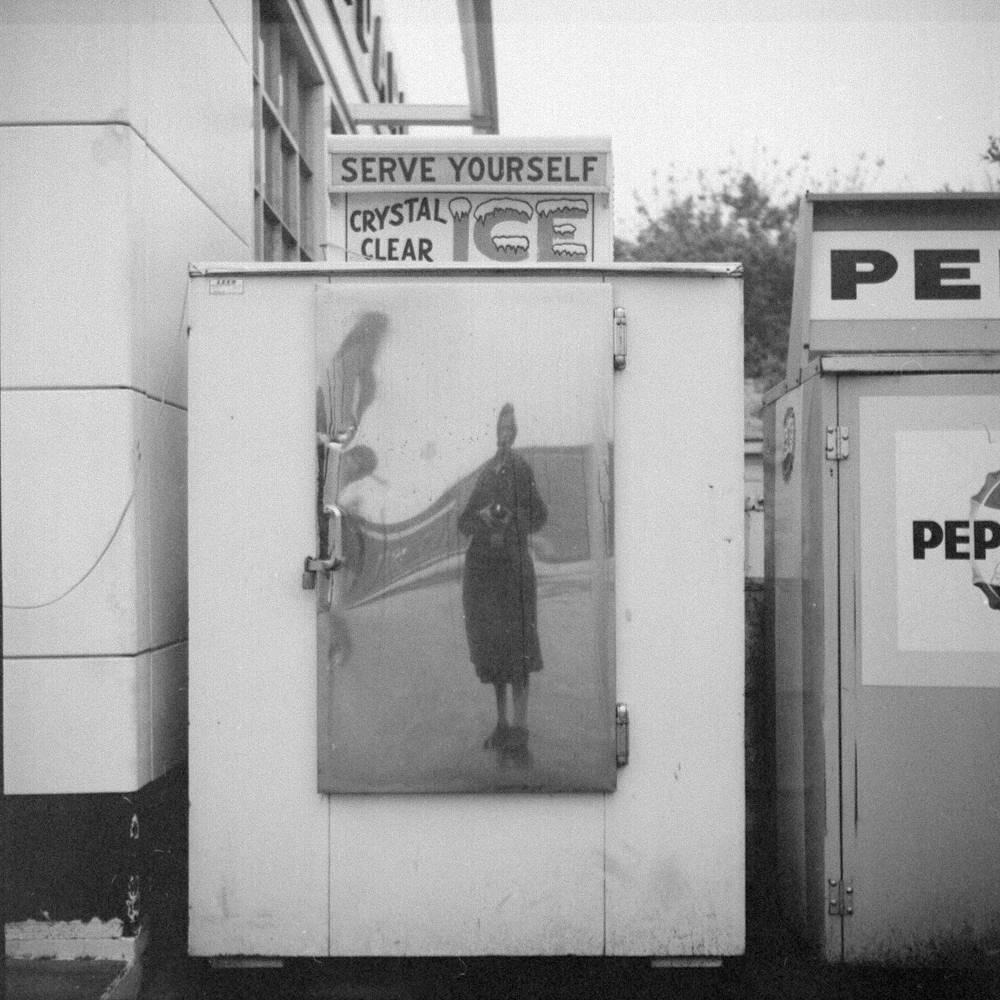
(920,681)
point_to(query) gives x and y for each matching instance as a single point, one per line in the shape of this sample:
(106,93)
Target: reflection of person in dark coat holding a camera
(499,595)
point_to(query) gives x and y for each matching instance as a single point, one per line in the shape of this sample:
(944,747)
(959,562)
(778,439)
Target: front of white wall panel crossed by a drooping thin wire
(69,472)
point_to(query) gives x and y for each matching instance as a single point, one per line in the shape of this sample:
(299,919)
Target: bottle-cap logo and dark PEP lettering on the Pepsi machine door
(976,540)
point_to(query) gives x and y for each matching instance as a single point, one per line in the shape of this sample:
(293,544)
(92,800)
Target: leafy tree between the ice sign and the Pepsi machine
(740,215)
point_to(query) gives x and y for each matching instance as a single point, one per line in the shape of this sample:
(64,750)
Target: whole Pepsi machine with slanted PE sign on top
(883,560)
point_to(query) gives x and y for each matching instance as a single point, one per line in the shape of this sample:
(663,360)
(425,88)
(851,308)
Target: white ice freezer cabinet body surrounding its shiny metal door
(654,867)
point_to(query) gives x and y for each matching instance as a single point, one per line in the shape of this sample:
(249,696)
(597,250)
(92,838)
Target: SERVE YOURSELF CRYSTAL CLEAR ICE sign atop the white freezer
(400,199)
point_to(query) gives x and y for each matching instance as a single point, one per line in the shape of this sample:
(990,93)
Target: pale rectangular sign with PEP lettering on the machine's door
(930,540)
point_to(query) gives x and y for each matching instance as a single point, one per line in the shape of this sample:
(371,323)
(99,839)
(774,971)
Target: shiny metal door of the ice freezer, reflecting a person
(465,643)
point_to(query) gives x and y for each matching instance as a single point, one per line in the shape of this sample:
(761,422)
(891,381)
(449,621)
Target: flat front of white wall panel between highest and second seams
(67,270)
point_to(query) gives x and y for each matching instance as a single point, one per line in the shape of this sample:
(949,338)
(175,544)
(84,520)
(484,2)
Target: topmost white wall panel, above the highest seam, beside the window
(173,72)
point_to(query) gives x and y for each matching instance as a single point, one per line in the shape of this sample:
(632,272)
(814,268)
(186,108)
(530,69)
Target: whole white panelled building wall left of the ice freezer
(126,150)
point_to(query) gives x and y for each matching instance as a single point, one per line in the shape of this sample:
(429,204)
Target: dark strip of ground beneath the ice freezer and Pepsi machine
(552,979)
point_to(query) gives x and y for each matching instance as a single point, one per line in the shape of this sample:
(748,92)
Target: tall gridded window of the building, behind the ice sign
(289,138)
